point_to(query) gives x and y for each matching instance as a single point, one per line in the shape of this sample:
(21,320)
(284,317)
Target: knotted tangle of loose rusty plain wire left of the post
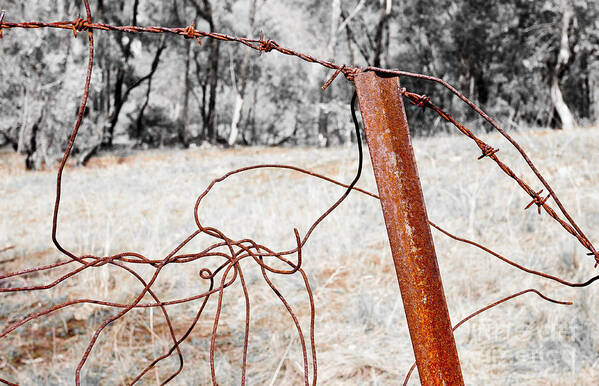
(233,257)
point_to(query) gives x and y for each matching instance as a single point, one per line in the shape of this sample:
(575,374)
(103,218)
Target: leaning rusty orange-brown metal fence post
(387,134)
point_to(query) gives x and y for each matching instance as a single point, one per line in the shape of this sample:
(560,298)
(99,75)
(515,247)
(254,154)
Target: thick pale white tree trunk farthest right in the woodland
(563,61)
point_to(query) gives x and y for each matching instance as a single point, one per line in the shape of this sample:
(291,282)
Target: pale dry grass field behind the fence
(143,202)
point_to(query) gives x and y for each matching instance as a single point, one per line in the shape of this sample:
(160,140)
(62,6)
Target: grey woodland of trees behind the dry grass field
(528,63)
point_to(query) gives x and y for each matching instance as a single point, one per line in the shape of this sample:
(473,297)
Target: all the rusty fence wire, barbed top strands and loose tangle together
(234,252)
